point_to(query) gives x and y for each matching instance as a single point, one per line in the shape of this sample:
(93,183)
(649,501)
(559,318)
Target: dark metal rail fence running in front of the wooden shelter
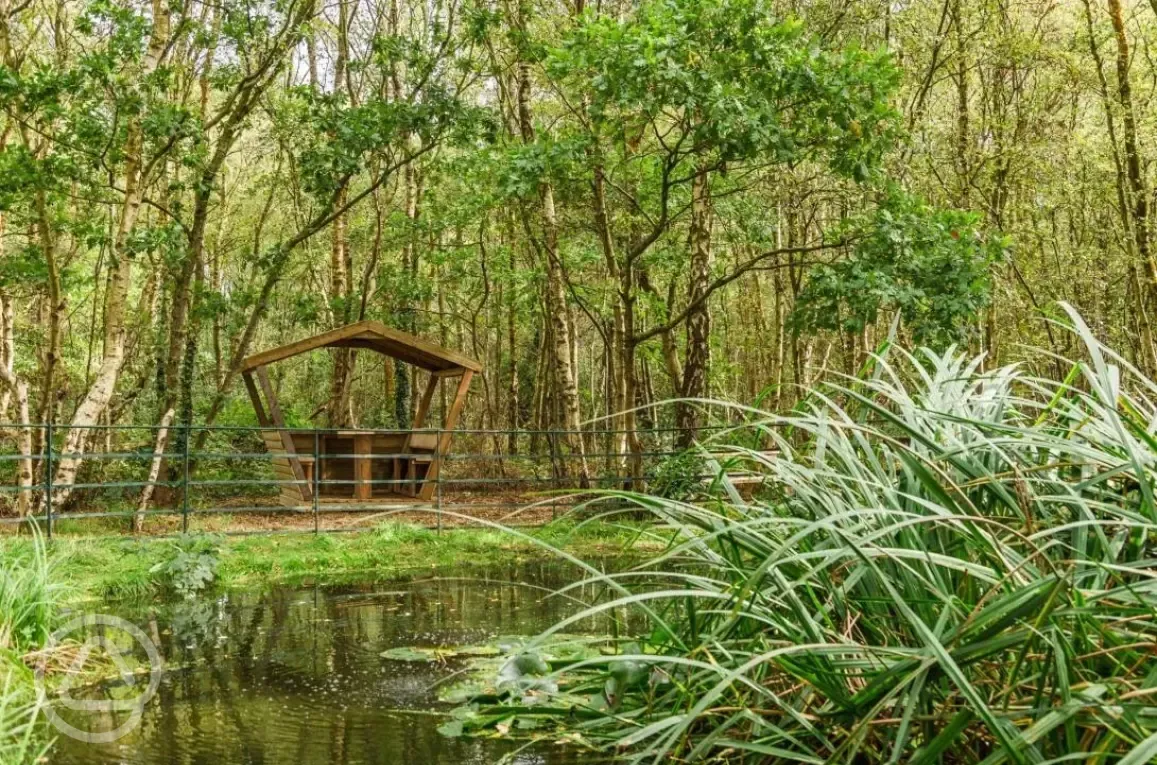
(222,479)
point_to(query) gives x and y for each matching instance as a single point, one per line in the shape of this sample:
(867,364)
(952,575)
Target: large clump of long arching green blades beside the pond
(945,564)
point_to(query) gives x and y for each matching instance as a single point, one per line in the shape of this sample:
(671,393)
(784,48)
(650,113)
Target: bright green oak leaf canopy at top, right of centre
(727,80)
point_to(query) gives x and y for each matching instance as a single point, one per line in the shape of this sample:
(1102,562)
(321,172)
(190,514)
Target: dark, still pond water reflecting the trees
(296,674)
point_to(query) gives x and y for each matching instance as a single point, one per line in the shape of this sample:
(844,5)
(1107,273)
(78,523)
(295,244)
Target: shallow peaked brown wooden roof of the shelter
(373,336)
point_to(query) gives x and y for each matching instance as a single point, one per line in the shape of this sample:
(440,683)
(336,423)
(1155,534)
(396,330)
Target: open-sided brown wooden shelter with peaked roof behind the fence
(359,466)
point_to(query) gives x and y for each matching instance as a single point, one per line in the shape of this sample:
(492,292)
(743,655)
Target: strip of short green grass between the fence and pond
(142,568)
